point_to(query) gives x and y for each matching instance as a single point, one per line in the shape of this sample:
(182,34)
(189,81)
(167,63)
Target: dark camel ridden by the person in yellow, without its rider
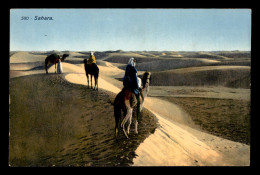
(93,70)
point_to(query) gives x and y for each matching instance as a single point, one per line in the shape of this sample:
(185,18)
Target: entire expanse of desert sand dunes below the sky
(192,96)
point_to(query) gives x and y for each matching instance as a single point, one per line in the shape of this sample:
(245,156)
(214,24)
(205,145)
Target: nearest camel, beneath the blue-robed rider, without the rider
(126,101)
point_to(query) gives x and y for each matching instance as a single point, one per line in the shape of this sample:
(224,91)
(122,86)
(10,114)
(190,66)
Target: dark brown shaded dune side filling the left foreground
(57,123)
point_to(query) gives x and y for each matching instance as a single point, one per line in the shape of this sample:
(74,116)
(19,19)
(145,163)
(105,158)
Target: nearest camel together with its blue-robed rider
(131,98)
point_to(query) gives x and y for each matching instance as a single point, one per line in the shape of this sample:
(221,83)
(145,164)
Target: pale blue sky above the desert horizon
(130,29)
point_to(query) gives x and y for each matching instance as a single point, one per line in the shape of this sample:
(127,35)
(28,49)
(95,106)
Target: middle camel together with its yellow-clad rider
(92,69)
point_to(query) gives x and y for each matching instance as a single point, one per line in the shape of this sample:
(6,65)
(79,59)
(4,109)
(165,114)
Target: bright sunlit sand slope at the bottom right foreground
(178,145)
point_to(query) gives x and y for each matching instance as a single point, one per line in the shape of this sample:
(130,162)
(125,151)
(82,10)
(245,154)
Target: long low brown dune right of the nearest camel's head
(227,76)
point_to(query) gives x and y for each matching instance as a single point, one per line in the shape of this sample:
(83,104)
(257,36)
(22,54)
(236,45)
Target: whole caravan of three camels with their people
(128,101)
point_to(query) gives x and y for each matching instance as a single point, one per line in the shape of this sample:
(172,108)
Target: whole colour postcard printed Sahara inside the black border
(129,87)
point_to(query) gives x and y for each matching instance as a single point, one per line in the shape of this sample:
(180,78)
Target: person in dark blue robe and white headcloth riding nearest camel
(132,82)
